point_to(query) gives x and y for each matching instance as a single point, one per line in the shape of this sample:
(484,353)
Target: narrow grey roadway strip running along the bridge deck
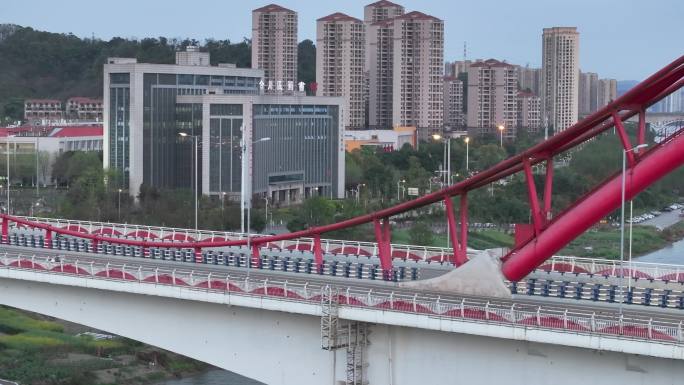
(521,302)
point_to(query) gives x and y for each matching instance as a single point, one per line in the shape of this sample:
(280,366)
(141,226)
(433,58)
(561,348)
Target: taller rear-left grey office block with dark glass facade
(143,119)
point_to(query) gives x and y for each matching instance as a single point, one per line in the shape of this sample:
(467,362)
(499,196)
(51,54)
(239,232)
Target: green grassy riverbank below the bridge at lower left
(36,350)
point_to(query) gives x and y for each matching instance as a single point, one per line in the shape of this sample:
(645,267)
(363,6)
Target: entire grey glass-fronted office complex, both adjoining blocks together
(148,106)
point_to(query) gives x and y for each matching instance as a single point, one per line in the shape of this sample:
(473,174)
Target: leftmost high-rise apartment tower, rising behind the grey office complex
(274,44)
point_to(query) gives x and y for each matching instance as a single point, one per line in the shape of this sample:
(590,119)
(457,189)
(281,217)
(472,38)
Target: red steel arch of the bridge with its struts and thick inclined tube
(548,235)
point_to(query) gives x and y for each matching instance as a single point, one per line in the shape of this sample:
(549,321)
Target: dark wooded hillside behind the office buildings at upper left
(37,64)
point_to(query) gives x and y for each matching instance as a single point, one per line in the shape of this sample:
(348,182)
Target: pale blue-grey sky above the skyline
(622,39)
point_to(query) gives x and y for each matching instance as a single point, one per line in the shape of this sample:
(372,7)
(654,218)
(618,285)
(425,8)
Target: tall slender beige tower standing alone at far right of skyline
(560,76)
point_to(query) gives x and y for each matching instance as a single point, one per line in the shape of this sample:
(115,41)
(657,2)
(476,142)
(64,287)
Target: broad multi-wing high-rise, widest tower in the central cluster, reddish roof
(405,70)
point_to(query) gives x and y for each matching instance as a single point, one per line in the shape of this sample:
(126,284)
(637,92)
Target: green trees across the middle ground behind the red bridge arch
(375,173)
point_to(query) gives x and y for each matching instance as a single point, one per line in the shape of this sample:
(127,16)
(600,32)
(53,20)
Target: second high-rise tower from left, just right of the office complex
(340,45)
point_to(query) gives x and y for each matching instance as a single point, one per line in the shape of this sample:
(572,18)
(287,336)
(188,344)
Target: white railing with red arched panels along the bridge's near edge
(444,307)
